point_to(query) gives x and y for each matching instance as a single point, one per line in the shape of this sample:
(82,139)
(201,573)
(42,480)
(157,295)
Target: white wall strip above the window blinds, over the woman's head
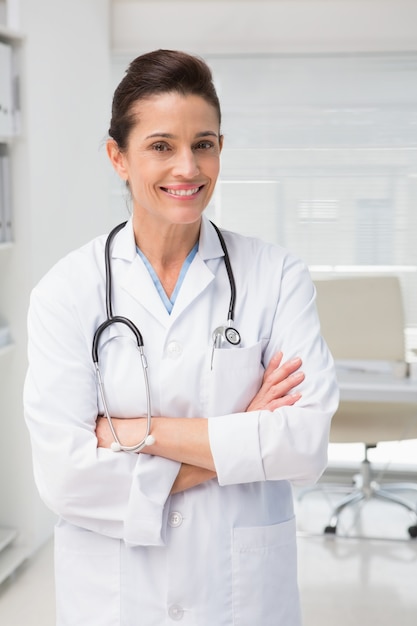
(289,26)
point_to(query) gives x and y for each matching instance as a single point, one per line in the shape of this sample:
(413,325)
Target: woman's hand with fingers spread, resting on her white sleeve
(277,383)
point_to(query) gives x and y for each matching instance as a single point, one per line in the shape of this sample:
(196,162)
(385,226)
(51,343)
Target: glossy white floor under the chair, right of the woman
(367,574)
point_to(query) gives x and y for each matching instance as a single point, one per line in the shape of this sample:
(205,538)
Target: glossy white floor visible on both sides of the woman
(344,580)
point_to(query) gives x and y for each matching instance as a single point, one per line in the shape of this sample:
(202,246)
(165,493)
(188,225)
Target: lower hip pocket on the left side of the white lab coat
(87,577)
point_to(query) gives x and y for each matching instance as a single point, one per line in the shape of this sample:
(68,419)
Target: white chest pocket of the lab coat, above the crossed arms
(234,378)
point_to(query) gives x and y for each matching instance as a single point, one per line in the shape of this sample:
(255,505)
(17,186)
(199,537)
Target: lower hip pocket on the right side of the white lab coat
(265,587)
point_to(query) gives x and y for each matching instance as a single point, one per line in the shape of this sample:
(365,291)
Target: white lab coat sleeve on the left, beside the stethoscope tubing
(118,495)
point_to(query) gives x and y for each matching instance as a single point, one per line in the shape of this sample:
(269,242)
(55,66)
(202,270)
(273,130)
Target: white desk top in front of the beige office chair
(358,385)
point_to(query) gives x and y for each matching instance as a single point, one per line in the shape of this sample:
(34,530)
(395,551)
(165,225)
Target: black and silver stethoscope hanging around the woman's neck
(223,336)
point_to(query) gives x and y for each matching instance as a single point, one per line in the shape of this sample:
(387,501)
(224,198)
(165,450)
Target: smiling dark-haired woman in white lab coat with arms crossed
(197,525)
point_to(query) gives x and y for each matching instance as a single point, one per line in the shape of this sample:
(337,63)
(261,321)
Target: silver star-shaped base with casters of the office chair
(365,489)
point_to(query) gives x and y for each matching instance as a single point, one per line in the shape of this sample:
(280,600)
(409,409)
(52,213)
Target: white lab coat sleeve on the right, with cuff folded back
(289,443)
